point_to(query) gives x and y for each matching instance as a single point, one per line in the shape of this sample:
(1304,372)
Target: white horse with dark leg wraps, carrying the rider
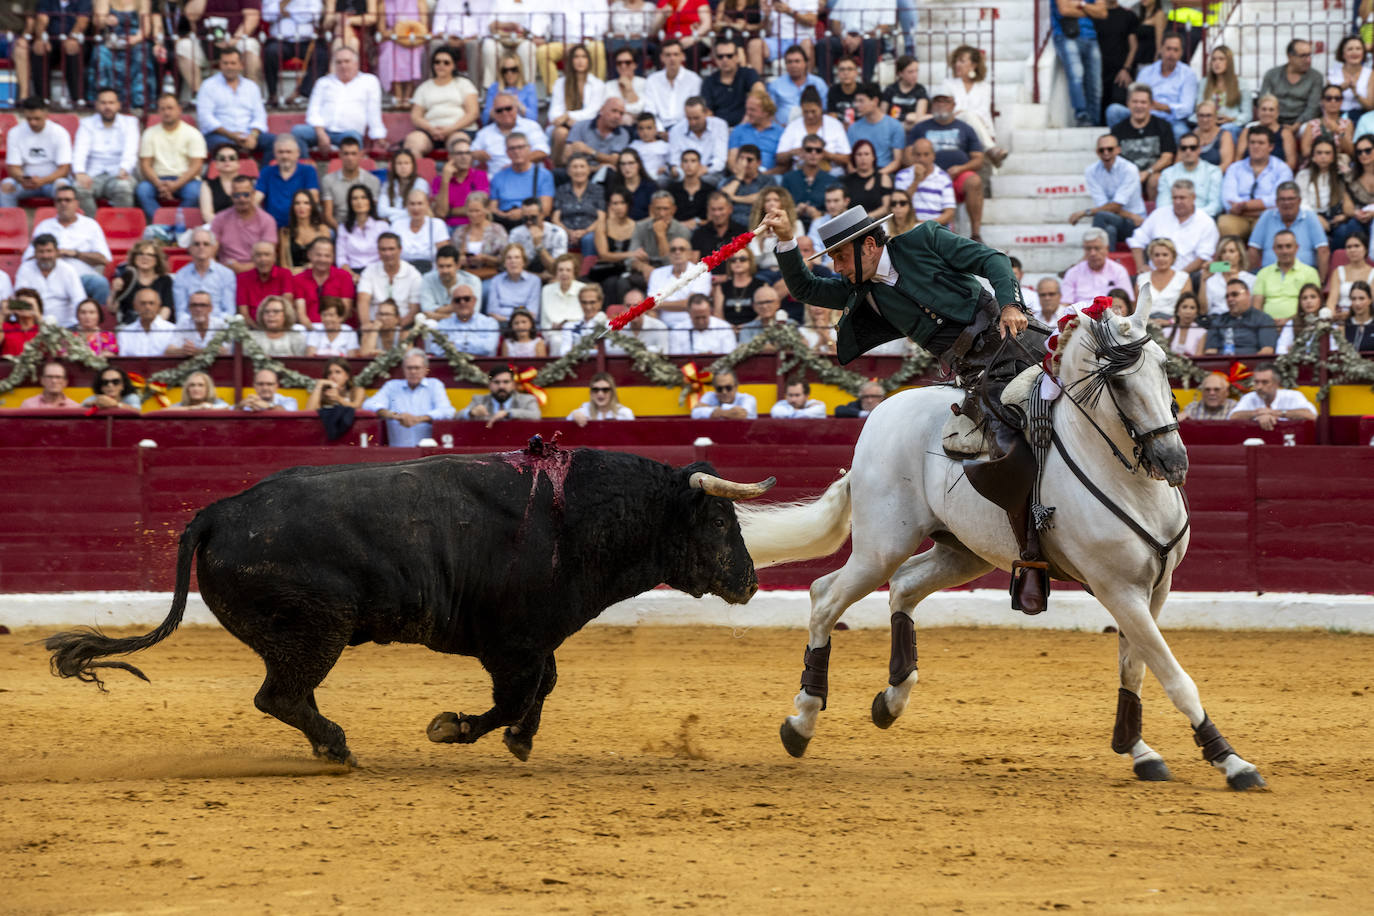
(1123,543)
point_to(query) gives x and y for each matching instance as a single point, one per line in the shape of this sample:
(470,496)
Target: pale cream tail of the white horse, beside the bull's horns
(802,531)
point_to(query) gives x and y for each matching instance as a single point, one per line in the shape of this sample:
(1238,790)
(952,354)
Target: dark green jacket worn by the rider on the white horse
(936,289)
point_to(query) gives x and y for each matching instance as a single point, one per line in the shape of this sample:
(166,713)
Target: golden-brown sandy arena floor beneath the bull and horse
(659,782)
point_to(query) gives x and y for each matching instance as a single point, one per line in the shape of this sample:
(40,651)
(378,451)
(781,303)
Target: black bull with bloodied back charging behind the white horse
(498,557)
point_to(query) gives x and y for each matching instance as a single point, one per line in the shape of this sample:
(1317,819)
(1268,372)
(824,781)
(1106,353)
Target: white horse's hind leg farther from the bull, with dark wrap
(927,573)
